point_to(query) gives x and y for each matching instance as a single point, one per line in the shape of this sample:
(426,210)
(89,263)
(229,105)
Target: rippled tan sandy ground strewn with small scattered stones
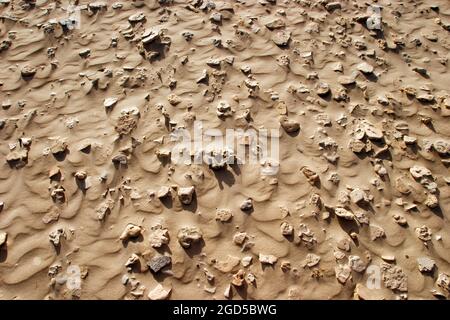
(376,142)
